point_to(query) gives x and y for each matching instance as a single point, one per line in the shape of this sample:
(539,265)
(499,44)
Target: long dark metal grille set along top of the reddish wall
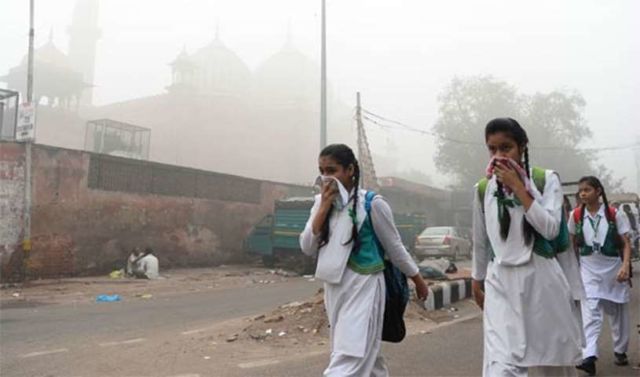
(143,177)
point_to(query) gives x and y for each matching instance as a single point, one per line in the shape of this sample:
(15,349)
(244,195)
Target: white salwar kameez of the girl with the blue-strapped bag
(355,302)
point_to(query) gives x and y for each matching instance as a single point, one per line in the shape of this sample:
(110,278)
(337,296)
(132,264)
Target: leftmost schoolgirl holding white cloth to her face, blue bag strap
(342,235)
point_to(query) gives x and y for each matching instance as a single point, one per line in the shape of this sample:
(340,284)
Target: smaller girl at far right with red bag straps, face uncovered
(600,234)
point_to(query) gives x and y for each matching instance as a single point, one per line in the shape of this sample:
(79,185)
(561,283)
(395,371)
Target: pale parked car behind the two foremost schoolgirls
(444,241)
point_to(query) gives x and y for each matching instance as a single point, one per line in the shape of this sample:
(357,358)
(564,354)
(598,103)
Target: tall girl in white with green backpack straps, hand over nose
(523,276)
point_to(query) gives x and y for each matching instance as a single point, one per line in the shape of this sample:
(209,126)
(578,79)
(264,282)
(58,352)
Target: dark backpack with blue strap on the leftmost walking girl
(397,289)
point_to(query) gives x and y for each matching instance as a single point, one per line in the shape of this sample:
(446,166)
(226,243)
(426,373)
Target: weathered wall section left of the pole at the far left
(11,205)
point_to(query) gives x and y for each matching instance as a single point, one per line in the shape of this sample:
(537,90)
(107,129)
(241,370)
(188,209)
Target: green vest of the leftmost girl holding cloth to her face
(369,258)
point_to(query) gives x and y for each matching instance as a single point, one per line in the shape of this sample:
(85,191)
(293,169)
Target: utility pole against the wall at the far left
(26,241)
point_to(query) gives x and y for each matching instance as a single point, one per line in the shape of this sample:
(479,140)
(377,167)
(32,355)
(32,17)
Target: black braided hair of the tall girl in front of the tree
(514,130)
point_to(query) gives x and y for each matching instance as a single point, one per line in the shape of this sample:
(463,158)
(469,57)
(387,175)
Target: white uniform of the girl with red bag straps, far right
(605,295)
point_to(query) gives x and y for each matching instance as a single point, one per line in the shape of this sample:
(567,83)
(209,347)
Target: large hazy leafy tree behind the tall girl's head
(554,123)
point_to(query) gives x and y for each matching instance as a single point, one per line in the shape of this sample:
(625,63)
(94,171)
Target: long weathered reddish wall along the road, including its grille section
(90,210)
